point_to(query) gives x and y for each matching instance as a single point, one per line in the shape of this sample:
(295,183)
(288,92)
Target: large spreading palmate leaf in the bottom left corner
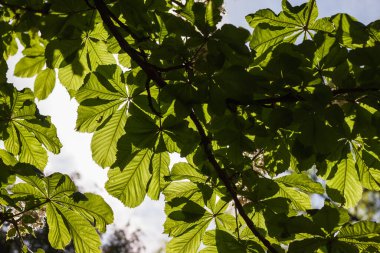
(70,214)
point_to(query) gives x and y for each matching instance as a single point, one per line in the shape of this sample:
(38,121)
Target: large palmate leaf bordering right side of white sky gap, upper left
(103,109)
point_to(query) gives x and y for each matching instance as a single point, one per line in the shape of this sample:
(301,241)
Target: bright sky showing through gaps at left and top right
(76,156)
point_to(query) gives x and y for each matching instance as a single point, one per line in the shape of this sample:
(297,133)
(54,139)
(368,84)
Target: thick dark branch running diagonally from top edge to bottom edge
(155,76)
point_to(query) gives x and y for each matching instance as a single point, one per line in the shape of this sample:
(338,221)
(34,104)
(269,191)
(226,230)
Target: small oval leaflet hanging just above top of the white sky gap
(44,83)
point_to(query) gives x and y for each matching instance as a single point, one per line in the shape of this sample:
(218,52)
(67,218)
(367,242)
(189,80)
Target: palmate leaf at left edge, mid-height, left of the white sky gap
(28,131)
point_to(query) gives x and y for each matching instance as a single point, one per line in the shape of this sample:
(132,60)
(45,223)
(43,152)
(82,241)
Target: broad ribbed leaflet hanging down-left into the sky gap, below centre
(129,184)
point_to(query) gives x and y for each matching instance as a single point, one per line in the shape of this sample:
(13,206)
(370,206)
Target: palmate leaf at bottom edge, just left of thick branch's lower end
(189,214)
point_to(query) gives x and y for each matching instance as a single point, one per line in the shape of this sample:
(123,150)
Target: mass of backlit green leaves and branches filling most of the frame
(253,122)
